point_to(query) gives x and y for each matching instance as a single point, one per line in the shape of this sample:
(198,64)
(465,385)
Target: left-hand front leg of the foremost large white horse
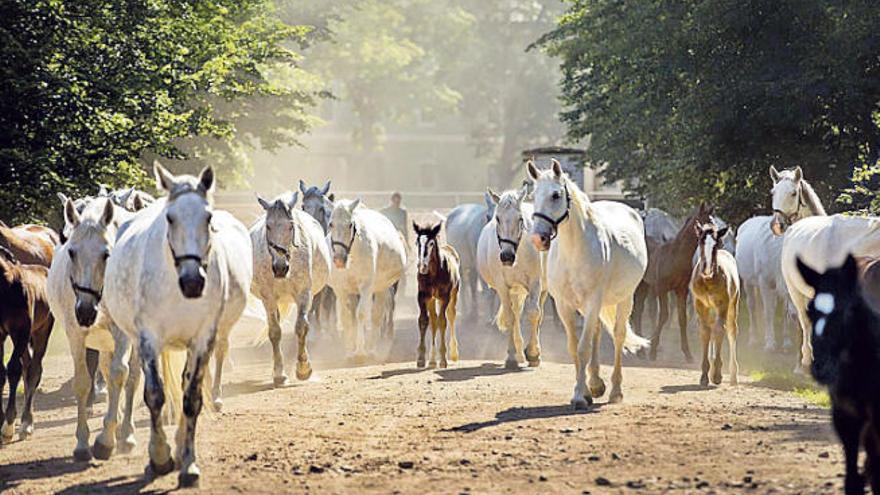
(161,462)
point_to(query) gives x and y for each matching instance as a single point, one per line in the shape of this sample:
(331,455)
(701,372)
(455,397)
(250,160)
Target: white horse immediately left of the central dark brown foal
(369,258)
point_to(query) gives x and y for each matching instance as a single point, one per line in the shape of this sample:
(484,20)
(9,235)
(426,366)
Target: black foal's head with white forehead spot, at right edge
(832,312)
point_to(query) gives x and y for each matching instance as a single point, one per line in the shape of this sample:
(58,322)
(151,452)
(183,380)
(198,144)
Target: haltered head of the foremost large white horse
(187,219)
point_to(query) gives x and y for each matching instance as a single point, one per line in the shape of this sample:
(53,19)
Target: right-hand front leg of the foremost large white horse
(197,362)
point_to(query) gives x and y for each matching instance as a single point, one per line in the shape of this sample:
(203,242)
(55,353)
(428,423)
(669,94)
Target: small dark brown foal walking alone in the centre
(439,282)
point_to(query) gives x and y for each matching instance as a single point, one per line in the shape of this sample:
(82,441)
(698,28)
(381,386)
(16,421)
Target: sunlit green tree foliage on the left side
(93,88)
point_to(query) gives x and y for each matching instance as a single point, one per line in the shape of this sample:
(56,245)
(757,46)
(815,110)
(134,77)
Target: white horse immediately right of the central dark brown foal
(516,271)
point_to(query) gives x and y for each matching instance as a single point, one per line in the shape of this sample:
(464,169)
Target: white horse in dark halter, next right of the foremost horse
(291,264)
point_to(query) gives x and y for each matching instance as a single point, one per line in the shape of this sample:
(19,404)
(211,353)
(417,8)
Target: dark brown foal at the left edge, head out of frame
(26,319)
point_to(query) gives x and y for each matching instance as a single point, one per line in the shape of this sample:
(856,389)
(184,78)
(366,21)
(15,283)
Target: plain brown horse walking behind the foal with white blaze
(669,270)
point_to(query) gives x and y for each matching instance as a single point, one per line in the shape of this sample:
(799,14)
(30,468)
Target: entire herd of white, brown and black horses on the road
(155,286)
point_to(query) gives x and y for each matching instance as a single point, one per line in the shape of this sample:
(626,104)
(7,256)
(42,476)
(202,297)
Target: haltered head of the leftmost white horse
(91,237)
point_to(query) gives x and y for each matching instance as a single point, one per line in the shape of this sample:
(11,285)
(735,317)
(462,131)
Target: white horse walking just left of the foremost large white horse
(75,289)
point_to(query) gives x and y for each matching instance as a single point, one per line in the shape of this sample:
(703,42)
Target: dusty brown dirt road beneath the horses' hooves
(473,428)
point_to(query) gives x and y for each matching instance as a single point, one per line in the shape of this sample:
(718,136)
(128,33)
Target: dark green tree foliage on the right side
(697,98)
